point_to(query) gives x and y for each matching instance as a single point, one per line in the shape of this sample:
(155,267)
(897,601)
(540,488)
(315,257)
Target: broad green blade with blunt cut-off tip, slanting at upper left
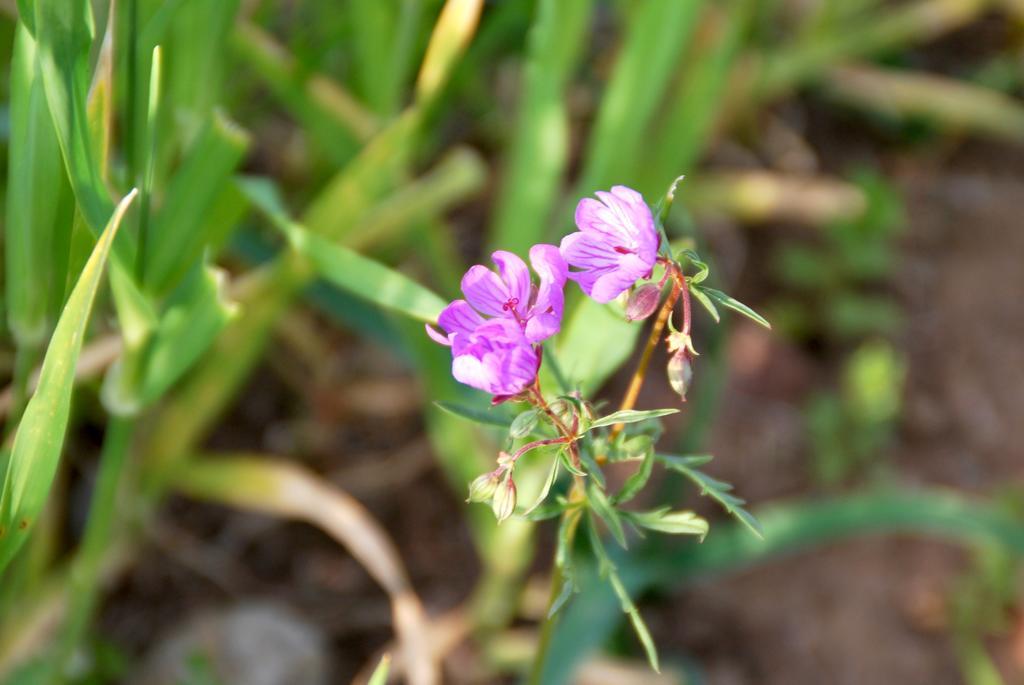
(181,228)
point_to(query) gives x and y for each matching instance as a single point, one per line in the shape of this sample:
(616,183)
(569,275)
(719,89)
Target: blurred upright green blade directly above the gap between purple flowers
(538,152)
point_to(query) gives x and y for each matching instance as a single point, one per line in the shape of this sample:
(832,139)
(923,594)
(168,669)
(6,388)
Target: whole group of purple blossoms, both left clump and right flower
(495,333)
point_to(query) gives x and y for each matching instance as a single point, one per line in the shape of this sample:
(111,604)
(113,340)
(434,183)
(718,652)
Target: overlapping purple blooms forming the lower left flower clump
(498,355)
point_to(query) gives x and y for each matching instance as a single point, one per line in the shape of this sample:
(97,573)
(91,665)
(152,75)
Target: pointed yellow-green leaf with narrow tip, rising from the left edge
(40,436)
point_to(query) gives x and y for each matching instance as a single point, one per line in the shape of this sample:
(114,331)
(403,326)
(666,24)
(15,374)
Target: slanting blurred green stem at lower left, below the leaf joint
(84,581)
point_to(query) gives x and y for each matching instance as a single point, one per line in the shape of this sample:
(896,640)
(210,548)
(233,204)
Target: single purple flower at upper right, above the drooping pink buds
(617,244)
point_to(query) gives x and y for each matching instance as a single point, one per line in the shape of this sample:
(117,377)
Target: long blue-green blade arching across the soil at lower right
(790,529)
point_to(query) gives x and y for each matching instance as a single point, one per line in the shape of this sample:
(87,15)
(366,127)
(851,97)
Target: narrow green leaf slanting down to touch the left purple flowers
(349,270)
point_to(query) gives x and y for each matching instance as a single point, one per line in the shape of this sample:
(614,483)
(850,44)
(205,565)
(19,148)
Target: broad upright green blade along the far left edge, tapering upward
(40,204)
